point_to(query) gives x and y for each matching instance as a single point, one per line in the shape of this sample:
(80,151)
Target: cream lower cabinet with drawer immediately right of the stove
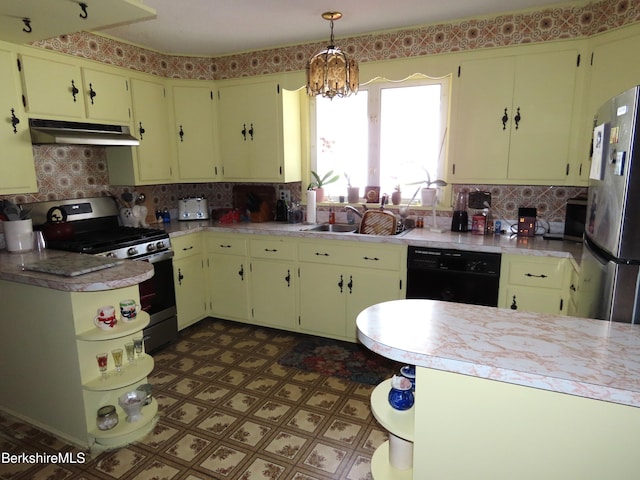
(190,279)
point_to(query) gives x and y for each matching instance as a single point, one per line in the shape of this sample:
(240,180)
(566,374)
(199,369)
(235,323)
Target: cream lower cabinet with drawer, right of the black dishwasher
(535,284)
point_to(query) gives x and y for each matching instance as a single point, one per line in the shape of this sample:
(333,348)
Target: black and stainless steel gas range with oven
(96,230)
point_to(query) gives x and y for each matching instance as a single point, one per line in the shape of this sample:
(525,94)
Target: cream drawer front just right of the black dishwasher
(541,272)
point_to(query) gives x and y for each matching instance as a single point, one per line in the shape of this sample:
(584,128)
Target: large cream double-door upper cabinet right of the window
(514,117)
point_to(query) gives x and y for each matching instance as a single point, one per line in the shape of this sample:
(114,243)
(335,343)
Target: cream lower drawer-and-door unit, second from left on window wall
(273,282)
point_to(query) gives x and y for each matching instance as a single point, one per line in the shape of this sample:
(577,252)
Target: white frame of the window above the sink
(374,88)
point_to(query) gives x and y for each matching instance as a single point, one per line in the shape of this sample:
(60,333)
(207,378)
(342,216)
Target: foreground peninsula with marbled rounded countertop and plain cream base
(502,394)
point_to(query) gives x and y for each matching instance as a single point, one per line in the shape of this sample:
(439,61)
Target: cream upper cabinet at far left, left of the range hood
(17,168)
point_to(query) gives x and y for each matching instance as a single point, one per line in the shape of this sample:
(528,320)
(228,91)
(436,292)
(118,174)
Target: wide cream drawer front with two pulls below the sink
(387,258)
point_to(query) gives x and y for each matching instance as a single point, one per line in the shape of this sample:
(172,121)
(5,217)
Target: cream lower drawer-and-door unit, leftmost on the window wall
(228,276)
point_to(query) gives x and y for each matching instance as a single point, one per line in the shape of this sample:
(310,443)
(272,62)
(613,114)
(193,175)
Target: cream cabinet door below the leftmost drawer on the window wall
(229,287)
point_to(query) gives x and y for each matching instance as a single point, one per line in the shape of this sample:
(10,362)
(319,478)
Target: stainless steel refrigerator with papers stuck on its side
(610,266)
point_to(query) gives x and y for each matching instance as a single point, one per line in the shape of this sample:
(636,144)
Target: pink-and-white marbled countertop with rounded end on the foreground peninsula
(576,356)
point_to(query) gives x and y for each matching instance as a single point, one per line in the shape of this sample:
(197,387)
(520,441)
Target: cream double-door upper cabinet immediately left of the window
(259,129)
